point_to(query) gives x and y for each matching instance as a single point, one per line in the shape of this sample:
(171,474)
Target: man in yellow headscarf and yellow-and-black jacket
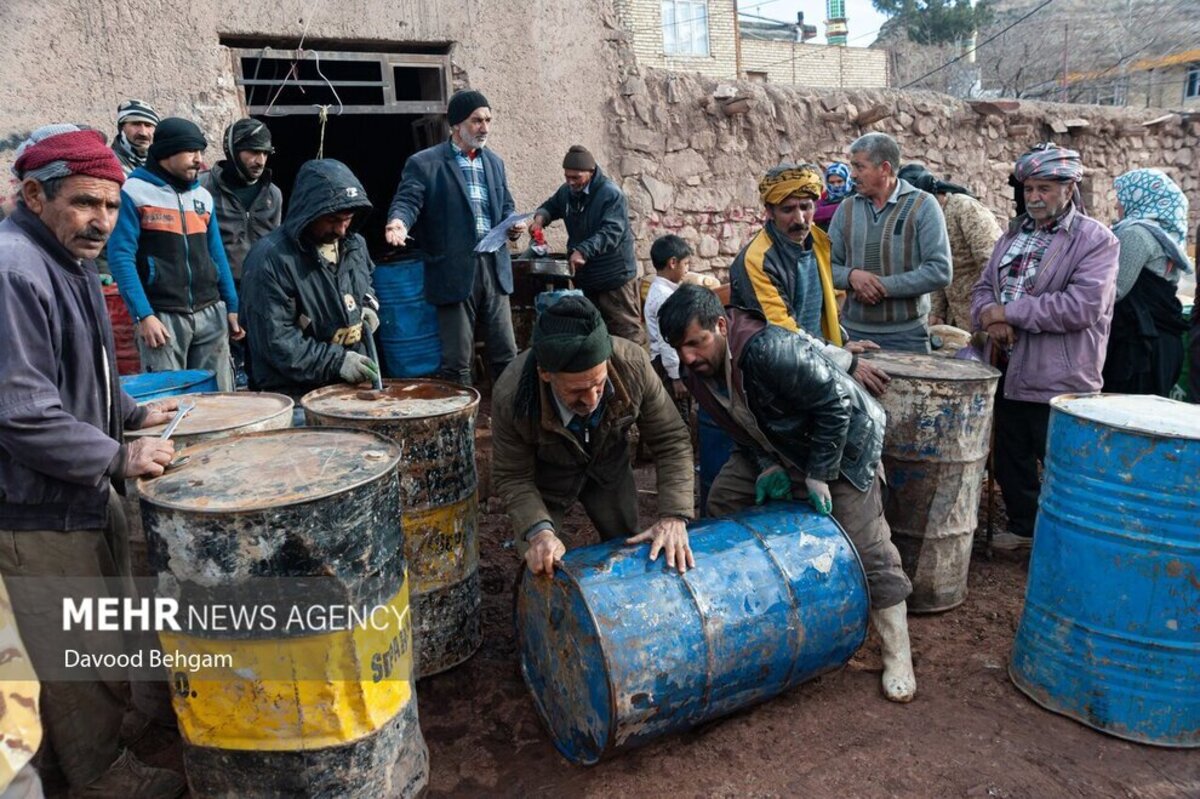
(784,273)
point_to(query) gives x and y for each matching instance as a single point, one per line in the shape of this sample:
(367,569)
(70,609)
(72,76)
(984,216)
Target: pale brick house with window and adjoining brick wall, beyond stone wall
(710,38)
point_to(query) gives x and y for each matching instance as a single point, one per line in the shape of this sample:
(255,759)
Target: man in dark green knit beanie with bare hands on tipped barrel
(561,420)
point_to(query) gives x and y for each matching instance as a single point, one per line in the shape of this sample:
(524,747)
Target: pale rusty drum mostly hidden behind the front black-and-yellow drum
(217,416)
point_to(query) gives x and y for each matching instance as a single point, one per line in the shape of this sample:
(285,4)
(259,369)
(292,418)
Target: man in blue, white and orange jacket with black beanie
(169,262)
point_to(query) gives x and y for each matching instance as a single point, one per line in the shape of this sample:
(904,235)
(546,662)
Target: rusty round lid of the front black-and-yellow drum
(272,470)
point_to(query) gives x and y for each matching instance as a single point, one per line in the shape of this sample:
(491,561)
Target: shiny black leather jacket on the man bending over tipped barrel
(813,413)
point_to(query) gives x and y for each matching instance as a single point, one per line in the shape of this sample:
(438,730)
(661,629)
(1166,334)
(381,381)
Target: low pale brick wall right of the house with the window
(817,65)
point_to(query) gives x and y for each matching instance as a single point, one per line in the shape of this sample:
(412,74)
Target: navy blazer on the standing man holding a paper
(431,201)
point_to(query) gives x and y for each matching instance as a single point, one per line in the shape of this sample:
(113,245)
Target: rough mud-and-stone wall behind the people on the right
(692,170)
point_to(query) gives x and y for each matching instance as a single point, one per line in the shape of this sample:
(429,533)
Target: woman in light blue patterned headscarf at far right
(1145,346)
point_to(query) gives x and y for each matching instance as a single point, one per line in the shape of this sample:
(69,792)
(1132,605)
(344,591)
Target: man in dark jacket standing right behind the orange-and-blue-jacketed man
(249,206)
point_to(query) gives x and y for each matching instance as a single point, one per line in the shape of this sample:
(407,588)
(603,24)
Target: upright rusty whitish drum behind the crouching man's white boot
(935,454)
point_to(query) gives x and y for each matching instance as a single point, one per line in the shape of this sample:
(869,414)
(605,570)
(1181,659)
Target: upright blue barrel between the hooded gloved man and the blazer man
(409,326)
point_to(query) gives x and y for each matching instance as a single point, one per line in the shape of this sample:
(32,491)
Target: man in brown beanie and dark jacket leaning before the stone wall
(599,241)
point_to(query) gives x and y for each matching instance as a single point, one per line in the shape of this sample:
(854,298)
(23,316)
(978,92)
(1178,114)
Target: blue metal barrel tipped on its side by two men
(619,651)
